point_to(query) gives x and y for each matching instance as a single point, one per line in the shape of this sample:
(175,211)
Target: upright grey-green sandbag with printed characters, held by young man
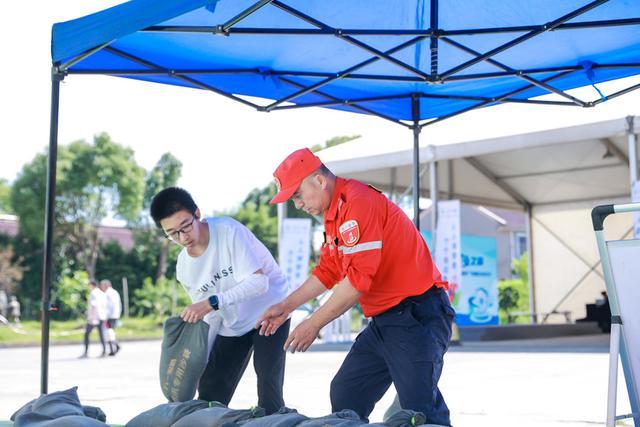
(183,358)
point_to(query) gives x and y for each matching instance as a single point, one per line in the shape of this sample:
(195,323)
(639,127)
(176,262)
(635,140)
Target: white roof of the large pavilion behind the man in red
(574,163)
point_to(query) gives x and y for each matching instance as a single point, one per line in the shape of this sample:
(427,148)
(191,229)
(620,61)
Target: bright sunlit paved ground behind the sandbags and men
(553,382)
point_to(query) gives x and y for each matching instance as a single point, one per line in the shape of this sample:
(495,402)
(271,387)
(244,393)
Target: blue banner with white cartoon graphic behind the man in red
(476,297)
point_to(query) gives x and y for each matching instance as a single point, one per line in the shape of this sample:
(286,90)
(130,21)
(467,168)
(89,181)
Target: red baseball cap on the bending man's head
(290,173)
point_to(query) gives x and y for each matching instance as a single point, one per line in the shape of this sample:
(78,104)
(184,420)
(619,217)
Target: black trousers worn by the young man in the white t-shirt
(229,359)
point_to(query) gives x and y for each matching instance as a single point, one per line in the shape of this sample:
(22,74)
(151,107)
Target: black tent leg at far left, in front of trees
(50,207)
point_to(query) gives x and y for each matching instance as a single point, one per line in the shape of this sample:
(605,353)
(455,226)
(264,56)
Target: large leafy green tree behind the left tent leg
(94,180)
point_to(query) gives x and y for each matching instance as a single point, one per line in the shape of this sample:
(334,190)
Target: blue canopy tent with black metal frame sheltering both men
(411,62)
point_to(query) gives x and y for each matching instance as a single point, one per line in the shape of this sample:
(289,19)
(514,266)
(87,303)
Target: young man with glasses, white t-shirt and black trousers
(229,273)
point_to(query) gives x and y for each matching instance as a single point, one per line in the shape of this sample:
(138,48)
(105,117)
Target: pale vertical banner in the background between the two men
(294,249)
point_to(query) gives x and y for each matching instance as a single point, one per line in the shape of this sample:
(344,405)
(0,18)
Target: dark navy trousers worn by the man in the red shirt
(404,345)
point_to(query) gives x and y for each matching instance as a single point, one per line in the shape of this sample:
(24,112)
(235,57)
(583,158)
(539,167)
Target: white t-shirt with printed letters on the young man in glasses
(232,255)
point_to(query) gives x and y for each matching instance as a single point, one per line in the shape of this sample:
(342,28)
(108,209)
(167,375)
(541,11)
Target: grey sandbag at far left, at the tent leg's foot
(57,409)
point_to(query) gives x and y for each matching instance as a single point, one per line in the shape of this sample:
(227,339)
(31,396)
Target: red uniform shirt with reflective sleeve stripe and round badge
(371,241)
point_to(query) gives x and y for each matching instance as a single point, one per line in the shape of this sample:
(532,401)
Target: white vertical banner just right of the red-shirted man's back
(447,256)
